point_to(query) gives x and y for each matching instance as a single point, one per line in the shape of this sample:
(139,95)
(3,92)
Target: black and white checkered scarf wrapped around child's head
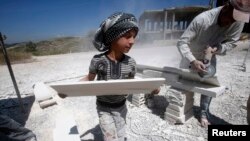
(113,28)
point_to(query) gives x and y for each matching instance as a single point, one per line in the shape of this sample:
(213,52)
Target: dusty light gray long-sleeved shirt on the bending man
(203,31)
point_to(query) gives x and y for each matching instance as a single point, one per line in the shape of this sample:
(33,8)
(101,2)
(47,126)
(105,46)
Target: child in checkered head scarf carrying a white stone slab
(114,38)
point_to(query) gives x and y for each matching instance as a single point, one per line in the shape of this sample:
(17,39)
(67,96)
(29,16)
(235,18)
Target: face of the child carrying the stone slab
(125,42)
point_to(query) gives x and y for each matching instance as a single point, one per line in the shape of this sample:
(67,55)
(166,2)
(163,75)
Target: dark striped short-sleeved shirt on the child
(106,69)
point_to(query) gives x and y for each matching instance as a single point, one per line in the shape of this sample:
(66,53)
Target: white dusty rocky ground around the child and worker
(142,123)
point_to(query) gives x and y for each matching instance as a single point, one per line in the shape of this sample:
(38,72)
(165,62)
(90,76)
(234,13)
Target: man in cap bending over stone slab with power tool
(216,30)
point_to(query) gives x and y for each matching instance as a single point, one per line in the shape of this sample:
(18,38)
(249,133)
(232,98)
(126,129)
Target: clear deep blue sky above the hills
(34,20)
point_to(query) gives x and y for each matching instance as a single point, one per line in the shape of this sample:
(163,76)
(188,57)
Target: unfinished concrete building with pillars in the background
(168,23)
